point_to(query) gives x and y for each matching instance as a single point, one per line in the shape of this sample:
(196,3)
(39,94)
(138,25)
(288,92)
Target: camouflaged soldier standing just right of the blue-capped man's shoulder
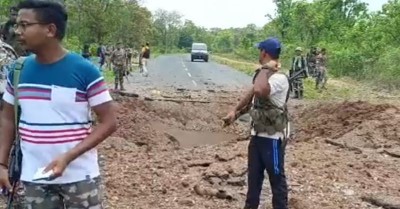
(299,63)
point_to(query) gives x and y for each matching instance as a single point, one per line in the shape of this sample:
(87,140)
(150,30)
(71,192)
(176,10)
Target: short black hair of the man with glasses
(48,12)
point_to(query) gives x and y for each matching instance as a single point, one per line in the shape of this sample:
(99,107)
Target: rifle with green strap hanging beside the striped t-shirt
(15,162)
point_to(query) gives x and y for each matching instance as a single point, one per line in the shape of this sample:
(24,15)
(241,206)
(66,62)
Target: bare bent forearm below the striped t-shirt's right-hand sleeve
(107,125)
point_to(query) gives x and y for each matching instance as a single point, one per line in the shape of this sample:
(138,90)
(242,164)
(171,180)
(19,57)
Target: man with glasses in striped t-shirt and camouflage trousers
(56,91)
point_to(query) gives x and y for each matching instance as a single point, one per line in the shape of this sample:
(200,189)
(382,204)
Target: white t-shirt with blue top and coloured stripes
(55,104)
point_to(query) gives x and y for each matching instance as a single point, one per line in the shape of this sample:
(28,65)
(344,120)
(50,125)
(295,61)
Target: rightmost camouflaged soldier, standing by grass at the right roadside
(321,64)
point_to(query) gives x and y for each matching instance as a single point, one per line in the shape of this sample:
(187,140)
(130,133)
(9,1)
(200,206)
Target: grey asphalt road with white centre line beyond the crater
(178,72)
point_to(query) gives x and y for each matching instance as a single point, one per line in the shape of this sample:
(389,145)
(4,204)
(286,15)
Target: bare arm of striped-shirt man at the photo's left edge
(7,135)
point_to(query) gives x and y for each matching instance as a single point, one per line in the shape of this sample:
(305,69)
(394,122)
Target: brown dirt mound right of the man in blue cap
(333,120)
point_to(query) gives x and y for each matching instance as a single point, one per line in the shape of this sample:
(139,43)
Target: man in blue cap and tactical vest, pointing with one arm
(267,98)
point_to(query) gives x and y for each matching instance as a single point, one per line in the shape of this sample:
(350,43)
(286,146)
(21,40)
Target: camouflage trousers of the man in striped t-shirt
(83,194)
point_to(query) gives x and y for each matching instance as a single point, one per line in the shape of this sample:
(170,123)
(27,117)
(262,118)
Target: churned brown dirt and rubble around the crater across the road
(176,155)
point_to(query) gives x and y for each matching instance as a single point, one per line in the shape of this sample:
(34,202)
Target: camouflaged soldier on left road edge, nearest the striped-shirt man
(118,60)
